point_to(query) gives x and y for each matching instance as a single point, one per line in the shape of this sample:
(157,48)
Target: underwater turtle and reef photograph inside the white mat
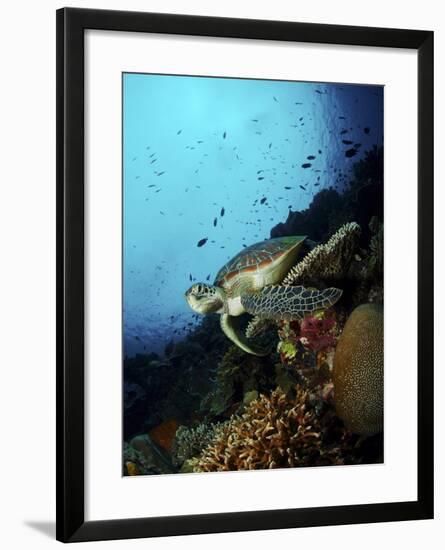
(252,274)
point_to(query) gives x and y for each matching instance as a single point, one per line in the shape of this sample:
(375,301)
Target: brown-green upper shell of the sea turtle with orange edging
(256,257)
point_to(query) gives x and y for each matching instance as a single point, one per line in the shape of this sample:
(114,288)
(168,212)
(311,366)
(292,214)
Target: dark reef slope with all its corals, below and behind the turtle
(206,405)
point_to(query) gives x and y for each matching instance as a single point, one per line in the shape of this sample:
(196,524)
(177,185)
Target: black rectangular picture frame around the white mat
(71,23)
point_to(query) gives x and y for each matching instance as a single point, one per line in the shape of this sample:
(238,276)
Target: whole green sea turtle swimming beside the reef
(250,281)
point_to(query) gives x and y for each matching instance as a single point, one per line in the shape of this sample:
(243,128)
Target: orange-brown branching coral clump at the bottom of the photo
(274,432)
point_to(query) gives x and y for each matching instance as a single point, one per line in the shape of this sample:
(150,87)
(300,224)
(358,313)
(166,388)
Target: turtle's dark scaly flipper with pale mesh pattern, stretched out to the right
(288,302)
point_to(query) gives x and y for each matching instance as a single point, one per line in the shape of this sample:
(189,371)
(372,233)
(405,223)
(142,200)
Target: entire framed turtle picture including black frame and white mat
(244,284)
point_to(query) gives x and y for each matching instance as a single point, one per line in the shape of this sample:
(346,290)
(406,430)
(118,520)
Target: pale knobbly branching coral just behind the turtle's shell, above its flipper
(330,260)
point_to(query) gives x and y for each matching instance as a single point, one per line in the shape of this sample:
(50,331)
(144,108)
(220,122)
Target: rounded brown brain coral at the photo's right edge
(358,371)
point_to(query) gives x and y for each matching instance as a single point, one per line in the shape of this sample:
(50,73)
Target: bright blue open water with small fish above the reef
(219,162)
